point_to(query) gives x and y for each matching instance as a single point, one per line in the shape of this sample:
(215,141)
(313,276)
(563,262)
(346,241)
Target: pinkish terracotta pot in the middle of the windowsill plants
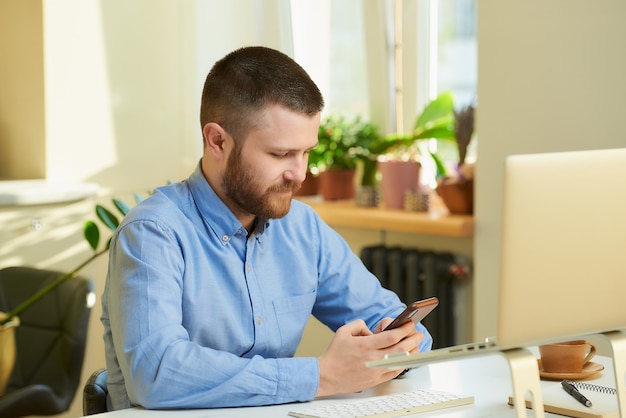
(398,177)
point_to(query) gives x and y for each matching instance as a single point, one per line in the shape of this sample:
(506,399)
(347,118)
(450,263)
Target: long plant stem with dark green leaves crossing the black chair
(91,233)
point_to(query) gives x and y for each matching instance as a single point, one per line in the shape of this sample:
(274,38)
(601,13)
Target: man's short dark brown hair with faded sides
(247,80)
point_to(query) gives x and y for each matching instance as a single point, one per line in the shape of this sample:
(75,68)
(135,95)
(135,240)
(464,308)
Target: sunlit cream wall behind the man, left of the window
(121,96)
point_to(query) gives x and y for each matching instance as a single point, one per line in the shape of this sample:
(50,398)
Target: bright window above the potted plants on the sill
(348,48)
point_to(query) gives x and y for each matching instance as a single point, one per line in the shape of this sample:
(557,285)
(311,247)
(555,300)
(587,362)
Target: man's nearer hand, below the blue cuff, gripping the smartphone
(342,366)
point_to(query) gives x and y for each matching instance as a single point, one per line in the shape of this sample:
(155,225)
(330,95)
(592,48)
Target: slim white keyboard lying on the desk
(386,406)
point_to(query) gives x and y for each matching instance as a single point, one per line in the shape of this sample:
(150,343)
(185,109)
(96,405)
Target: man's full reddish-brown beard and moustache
(243,189)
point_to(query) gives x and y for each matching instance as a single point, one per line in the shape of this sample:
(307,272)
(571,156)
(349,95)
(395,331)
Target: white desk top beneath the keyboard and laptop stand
(486,377)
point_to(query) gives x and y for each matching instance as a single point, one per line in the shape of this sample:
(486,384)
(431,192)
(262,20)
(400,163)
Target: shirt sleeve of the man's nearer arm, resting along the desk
(160,365)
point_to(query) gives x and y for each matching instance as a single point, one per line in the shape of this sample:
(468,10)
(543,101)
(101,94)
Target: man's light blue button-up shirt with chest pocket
(197,314)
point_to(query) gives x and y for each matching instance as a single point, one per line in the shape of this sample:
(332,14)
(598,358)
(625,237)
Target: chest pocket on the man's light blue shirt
(292,314)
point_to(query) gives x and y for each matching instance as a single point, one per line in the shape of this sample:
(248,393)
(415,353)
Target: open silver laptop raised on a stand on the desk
(563,253)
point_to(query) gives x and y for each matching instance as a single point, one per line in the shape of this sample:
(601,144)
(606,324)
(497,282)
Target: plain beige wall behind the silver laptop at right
(550,78)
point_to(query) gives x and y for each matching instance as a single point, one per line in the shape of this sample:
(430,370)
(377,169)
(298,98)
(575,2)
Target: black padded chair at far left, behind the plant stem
(50,341)
